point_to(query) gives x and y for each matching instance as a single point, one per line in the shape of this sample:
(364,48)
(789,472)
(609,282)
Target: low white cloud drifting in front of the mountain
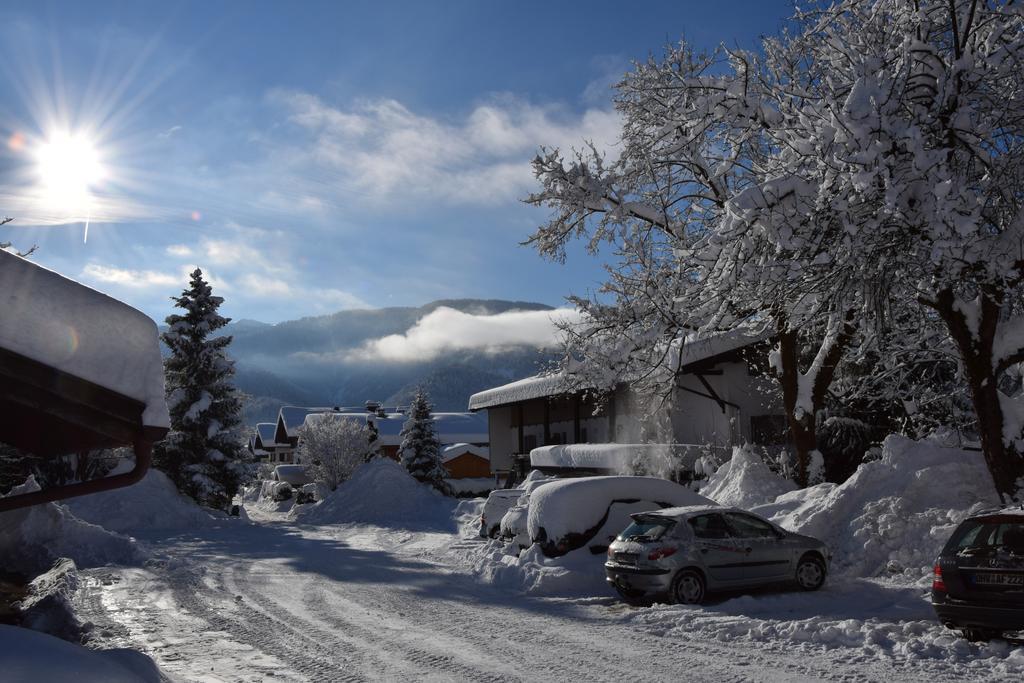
(448,330)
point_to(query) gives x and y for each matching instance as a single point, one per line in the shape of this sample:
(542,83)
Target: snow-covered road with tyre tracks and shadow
(277,602)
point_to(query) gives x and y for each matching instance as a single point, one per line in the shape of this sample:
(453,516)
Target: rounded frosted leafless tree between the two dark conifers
(333,448)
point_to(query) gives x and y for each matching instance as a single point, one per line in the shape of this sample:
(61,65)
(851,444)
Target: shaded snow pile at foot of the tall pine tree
(152,505)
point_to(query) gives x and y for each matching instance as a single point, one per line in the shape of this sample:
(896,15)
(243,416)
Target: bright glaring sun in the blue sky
(69,166)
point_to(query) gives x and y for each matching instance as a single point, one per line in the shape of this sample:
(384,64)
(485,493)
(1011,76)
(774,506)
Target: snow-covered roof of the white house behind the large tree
(697,349)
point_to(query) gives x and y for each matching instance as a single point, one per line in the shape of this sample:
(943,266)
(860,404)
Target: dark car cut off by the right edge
(978,585)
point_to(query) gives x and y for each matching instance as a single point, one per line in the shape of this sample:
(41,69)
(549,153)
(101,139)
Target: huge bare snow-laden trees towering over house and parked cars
(869,159)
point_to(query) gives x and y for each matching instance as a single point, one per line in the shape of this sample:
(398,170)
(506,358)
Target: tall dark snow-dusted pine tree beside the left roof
(202,454)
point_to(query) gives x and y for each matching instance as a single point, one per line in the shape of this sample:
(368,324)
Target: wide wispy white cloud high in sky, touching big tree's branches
(380,149)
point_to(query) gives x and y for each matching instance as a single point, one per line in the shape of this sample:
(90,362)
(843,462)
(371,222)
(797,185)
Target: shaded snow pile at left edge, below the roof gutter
(32,539)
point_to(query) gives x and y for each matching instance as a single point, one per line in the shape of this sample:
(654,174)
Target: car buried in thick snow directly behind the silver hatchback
(568,515)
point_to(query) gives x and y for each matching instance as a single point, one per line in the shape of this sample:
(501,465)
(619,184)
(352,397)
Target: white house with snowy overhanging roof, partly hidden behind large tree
(721,399)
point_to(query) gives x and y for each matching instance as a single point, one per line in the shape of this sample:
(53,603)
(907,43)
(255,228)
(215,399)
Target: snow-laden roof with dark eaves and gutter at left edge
(79,371)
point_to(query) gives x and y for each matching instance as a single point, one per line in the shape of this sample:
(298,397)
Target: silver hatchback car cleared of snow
(687,553)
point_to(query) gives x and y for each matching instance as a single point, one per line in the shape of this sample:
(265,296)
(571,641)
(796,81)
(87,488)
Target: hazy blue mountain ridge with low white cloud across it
(451,348)
